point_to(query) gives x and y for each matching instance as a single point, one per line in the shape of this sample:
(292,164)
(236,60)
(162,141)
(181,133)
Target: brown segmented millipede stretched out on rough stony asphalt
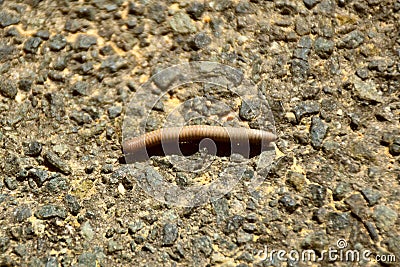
(170,139)
